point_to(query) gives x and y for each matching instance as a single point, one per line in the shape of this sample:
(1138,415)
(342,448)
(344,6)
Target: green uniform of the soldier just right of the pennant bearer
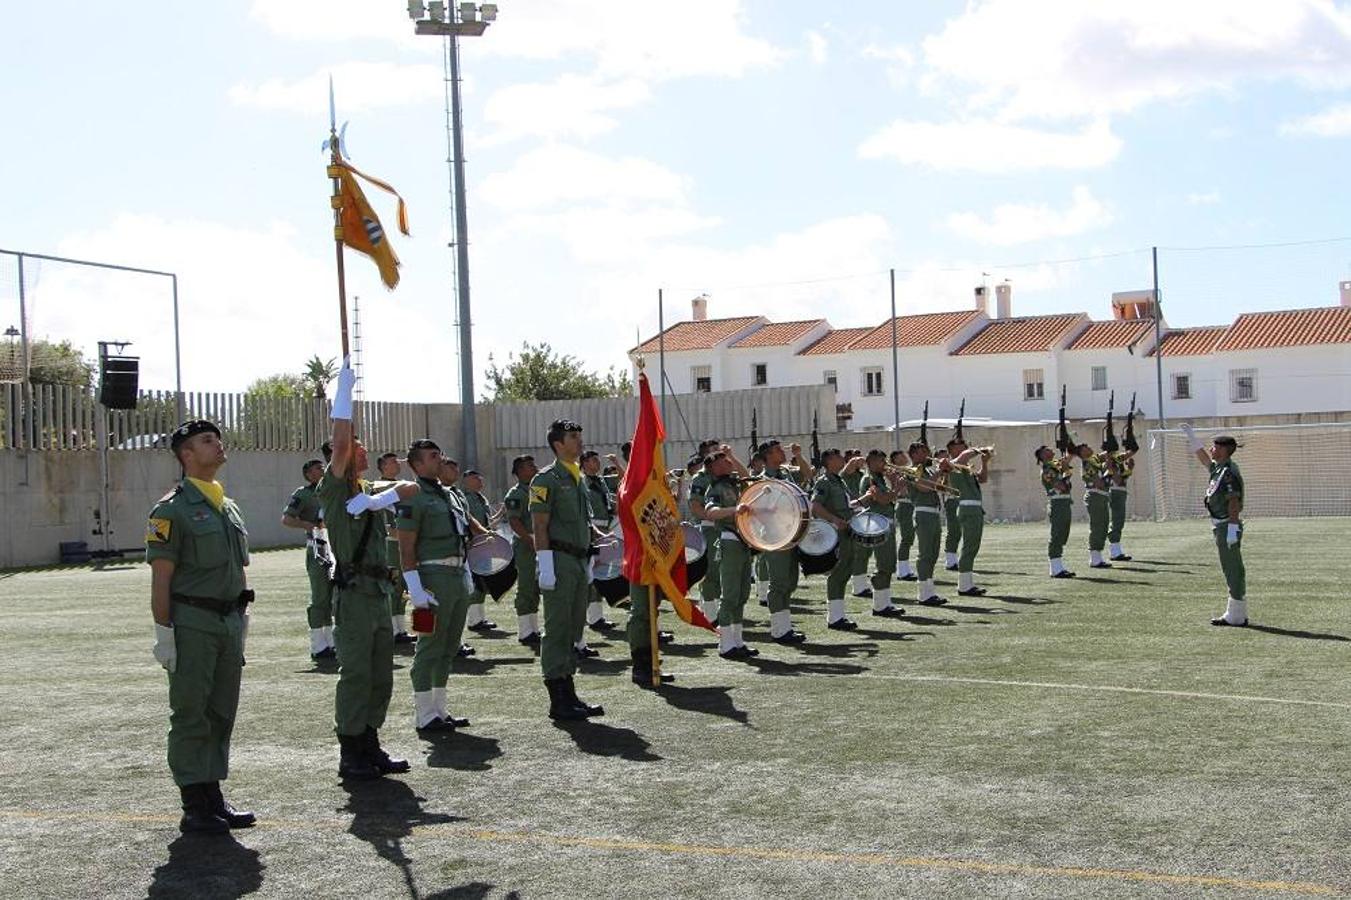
(437,517)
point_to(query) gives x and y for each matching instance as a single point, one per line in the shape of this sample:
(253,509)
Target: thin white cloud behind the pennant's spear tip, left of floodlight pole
(359,87)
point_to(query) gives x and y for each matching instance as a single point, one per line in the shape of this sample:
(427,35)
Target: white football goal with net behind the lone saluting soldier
(1288,471)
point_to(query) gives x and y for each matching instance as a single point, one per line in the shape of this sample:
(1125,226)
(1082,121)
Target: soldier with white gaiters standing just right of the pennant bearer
(434,530)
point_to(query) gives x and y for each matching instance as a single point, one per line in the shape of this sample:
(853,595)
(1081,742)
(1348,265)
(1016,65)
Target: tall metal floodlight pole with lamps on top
(469,20)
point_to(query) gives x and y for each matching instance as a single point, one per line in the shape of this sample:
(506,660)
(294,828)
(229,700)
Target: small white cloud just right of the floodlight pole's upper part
(571,107)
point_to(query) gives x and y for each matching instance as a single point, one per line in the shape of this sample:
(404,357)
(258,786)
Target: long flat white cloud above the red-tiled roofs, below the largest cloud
(991,147)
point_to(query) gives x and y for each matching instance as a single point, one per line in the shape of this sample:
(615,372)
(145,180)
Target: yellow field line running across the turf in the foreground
(749,853)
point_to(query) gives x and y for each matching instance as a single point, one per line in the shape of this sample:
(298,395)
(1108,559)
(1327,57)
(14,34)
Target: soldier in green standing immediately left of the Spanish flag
(561,517)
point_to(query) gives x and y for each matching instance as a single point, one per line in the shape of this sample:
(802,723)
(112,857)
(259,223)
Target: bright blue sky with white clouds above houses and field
(779,156)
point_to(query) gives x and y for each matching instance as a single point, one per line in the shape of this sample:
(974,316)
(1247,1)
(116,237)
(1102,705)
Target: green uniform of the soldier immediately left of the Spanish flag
(561,495)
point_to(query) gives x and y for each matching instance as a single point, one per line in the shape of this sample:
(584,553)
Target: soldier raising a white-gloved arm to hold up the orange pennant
(363,628)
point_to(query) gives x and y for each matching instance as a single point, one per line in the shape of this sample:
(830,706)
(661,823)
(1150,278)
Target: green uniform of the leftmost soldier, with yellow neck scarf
(210,551)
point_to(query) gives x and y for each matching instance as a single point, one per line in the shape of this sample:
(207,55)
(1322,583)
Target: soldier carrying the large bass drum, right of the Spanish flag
(734,559)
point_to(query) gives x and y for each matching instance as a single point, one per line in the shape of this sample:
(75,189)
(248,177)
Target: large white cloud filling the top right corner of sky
(1073,59)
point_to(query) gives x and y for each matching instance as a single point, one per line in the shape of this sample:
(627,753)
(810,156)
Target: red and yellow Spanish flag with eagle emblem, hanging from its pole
(655,545)
